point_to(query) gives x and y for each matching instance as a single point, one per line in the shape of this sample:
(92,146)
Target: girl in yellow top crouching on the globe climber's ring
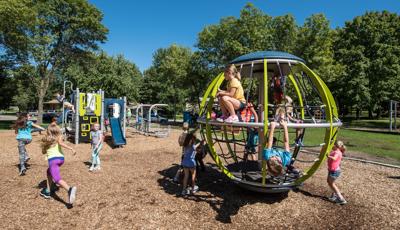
(233,98)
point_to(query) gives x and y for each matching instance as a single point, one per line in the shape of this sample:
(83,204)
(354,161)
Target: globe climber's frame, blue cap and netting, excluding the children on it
(313,107)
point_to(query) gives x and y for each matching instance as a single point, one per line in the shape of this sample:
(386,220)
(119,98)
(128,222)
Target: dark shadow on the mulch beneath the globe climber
(224,197)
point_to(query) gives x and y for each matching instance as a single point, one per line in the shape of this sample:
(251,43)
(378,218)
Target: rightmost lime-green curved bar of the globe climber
(329,111)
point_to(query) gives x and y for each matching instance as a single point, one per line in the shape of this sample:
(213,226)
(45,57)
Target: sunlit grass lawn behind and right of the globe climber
(377,144)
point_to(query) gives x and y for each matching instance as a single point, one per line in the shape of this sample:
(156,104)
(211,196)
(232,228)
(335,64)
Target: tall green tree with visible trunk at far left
(51,33)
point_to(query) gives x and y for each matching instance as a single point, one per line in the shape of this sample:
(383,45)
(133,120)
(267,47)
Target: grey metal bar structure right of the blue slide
(145,117)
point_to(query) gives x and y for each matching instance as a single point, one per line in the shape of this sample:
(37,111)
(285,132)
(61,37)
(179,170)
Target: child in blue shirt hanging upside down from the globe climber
(278,160)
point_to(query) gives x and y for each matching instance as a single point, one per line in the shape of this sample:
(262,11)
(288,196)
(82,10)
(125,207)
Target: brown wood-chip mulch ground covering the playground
(134,189)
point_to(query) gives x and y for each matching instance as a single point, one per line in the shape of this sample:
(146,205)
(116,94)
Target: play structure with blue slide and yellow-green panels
(91,108)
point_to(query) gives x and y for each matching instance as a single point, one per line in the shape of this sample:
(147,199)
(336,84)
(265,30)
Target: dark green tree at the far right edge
(369,46)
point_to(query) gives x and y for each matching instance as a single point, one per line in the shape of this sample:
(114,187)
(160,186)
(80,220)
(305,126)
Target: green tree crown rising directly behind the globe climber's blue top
(252,31)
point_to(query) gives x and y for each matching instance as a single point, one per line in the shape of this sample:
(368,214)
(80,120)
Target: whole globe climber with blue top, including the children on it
(255,117)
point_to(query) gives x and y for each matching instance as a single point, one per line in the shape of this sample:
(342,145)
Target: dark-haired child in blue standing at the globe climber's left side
(189,164)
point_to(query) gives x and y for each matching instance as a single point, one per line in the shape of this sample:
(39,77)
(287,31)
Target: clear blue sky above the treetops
(138,28)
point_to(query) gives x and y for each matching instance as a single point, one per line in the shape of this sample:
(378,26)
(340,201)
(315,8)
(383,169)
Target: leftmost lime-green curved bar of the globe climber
(213,90)
